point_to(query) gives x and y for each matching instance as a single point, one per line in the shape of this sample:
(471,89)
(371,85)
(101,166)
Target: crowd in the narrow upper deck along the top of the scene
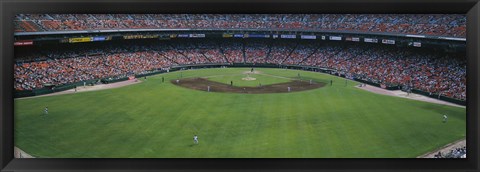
(428,24)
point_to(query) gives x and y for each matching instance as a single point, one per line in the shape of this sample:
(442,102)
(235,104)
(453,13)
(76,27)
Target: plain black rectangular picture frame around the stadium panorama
(9,8)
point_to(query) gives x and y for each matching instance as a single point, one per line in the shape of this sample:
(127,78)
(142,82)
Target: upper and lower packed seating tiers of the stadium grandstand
(446,72)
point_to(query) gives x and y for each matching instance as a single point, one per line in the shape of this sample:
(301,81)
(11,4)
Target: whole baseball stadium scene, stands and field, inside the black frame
(240,86)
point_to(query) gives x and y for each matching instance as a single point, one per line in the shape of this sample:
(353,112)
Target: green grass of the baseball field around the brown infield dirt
(155,119)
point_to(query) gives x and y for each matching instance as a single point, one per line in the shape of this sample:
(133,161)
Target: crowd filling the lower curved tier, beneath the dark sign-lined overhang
(434,72)
